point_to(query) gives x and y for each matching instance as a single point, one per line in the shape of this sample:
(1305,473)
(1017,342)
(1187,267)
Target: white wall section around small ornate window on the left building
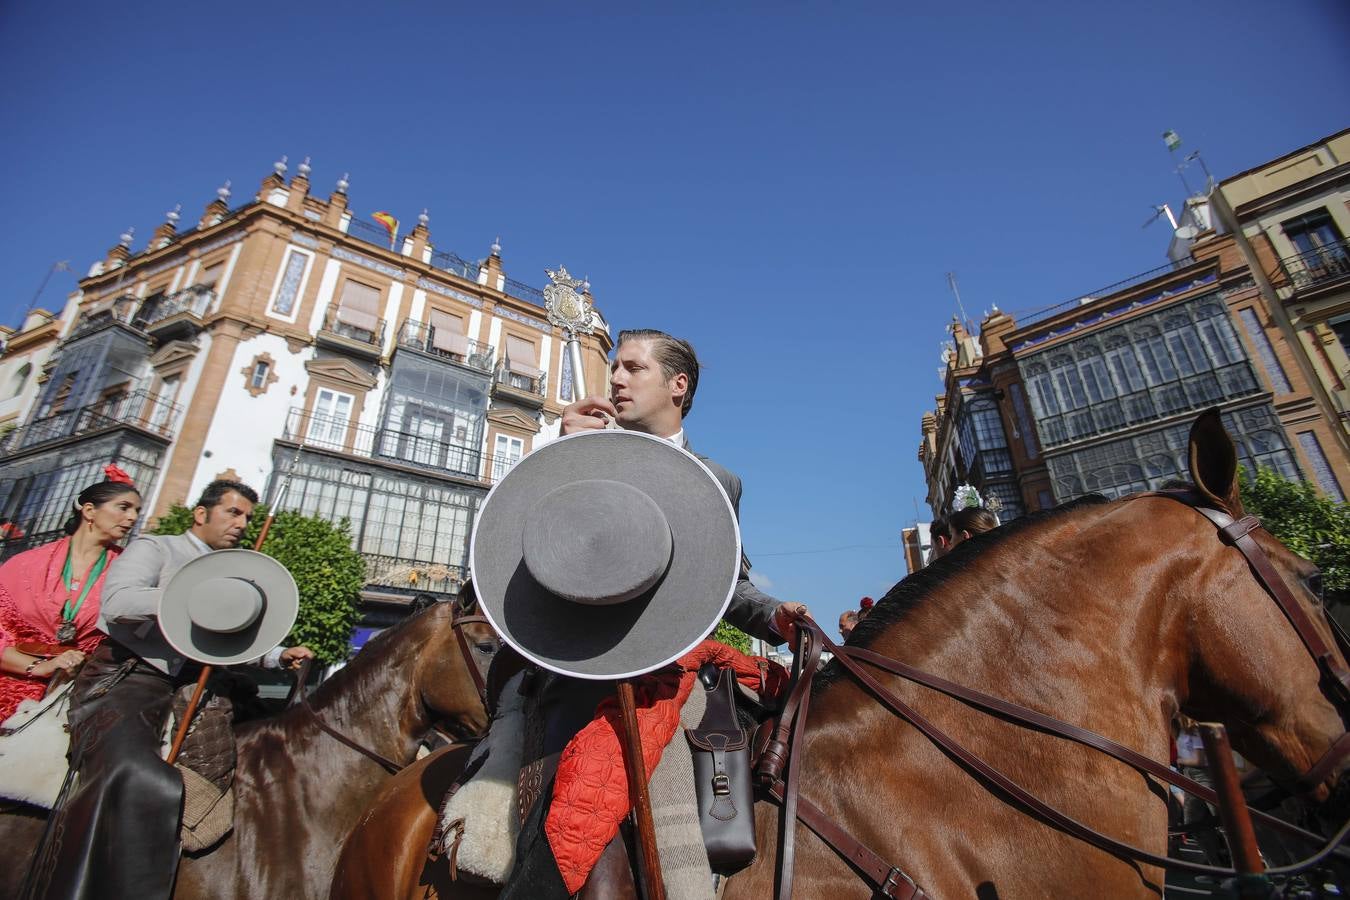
(242,431)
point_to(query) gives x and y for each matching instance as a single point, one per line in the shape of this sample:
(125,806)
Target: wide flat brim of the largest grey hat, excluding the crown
(627,639)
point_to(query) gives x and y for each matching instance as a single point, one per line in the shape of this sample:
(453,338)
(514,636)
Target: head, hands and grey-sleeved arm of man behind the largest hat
(653,384)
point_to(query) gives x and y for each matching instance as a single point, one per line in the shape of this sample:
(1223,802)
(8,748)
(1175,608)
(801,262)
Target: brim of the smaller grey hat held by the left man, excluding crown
(215,648)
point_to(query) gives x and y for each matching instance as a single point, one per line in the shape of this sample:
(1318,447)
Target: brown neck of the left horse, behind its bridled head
(376,700)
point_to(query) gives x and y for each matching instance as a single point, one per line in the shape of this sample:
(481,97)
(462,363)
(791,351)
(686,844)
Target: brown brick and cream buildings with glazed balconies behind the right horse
(1097,395)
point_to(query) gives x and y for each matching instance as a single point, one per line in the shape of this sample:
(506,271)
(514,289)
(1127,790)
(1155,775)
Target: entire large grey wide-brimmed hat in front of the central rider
(605,555)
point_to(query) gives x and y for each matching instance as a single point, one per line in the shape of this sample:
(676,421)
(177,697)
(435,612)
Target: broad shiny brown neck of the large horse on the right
(1043,619)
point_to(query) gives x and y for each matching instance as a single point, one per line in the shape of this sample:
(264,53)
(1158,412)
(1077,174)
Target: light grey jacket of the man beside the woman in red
(130,607)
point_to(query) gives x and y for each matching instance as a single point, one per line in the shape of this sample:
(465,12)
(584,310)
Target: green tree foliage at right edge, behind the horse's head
(1309,524)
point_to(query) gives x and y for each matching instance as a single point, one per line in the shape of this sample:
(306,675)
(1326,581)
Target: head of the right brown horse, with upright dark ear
(1252,663)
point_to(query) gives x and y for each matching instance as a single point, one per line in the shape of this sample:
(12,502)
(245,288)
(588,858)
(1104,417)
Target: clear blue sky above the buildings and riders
(784,184)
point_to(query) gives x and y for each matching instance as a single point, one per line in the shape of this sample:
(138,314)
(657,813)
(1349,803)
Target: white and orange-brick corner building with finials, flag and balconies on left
(286,341)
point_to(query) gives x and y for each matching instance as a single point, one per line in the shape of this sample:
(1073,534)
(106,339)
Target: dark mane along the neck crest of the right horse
(917,589)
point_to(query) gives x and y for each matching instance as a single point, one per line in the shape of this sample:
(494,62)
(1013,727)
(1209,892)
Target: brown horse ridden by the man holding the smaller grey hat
(298,789)
